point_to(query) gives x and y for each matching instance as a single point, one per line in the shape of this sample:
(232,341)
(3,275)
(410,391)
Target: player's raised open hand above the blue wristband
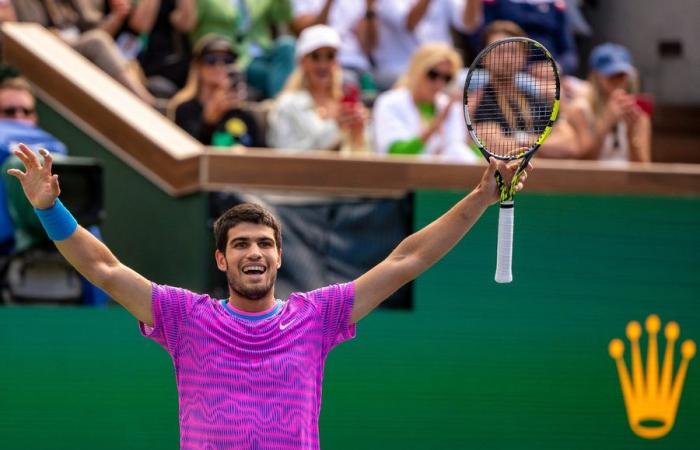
(39,184)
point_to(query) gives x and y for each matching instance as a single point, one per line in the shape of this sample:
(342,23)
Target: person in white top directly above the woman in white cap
(355,21)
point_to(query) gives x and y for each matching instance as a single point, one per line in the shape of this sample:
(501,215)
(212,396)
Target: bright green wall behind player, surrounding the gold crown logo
(476,365)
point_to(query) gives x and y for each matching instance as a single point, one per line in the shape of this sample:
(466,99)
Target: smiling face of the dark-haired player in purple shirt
(250,260)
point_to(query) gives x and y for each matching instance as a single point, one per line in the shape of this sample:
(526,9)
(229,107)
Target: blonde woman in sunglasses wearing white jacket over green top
(418,116)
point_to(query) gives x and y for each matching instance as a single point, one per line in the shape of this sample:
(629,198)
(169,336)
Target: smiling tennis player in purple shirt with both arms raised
(248,368)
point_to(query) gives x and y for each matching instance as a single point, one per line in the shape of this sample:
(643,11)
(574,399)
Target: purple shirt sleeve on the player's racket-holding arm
(334,304)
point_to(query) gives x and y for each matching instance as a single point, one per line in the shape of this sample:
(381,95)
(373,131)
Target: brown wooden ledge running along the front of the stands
(178,164)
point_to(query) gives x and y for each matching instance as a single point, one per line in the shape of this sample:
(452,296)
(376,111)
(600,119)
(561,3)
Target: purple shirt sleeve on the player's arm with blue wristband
(171,307)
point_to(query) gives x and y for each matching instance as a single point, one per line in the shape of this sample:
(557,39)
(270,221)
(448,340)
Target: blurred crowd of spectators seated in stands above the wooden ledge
(345,75)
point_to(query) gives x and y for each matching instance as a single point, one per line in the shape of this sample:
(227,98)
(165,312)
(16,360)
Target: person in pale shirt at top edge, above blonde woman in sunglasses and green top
(405,25)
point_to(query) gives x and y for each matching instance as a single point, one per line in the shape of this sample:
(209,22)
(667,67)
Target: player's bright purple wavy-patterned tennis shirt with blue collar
(250,381)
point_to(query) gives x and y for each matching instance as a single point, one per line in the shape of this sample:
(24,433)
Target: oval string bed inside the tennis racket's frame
(512,90)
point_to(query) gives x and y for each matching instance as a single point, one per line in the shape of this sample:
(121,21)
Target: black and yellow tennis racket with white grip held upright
(511,101)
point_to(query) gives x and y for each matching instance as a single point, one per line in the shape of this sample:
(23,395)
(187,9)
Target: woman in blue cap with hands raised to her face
(608,123)
